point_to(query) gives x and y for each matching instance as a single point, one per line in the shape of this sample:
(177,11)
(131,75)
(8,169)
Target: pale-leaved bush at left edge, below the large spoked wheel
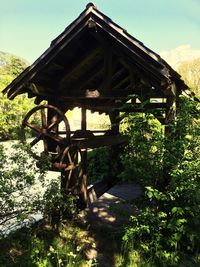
(26,190)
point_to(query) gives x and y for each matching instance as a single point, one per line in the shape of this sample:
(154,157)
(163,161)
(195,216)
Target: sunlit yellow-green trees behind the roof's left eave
(12,112)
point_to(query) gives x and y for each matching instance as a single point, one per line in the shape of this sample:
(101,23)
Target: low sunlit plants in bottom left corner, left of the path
(43,246)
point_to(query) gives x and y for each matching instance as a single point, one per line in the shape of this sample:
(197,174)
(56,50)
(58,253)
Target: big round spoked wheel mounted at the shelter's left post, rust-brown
(46,130)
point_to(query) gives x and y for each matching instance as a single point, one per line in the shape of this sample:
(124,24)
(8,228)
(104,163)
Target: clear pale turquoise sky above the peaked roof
(28,26)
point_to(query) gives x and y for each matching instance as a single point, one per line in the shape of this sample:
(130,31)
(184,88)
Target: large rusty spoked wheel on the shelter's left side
(41,131)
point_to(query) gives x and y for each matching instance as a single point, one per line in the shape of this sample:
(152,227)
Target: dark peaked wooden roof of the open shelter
(94,63)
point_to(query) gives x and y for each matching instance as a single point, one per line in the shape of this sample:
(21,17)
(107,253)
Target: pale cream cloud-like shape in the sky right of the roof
(180,54)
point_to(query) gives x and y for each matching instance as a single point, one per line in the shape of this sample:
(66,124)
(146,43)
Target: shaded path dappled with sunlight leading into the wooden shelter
(105,217)
